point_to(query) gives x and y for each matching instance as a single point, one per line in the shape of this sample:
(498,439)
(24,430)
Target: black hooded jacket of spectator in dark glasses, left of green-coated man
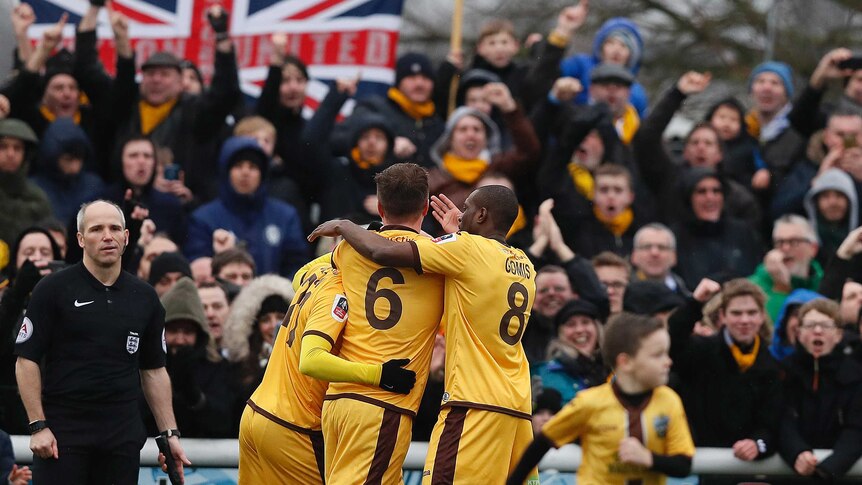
(719,250)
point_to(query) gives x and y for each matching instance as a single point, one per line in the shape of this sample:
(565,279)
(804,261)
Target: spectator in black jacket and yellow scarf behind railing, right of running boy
(729,382)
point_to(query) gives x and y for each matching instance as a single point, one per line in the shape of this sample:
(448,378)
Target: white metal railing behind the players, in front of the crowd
(225,454)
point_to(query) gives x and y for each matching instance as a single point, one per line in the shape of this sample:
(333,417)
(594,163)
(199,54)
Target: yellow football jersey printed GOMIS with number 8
(490,289)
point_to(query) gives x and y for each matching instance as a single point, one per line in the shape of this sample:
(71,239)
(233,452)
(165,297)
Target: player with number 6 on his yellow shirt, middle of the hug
(394,314)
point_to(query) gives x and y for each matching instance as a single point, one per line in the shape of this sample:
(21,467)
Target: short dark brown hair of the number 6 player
(402,189)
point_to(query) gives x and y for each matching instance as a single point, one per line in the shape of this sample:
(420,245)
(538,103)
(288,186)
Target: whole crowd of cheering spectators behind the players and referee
(744,239)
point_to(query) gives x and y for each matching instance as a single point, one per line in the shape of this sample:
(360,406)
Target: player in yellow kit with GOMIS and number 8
(484,424)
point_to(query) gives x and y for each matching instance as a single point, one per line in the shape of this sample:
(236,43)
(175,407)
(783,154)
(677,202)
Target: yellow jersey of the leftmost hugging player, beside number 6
(284,392)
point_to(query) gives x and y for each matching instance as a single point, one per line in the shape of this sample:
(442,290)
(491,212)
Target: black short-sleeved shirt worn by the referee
(91,340)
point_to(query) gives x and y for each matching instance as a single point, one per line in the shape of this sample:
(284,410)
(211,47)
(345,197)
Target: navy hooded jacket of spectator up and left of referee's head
(66,192)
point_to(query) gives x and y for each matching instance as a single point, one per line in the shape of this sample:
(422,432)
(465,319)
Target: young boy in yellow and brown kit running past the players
(632,429)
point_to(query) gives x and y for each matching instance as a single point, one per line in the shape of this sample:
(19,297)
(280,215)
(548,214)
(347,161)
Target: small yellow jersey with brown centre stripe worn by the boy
(601,421)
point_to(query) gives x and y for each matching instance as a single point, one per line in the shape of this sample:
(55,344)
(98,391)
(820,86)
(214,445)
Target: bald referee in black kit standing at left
(91,340)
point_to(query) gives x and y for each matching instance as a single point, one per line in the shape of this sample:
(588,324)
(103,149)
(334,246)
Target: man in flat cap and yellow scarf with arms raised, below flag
(158,107)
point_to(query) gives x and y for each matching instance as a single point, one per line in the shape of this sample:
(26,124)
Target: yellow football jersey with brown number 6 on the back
(394,314)
